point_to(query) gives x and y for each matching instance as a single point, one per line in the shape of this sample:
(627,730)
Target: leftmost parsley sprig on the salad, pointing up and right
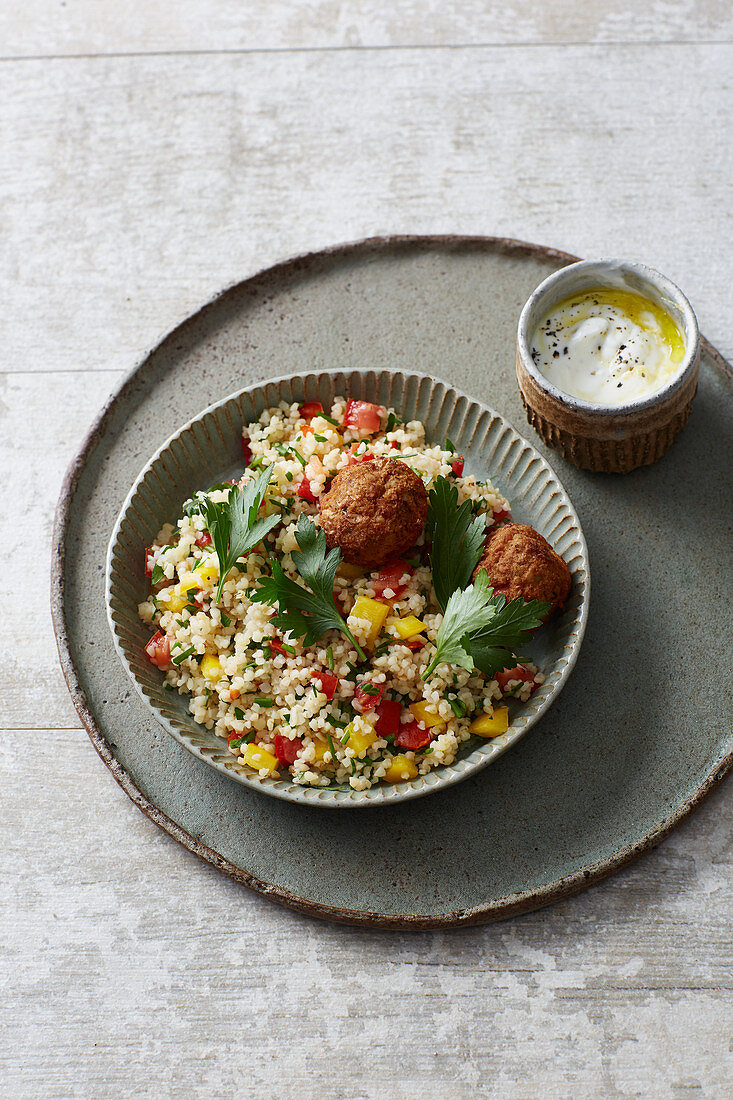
(235,526)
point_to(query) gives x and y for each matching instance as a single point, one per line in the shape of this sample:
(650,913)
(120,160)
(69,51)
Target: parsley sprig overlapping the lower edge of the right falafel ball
(482,631)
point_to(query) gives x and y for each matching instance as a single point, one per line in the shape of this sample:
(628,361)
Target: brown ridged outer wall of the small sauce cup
(608,444)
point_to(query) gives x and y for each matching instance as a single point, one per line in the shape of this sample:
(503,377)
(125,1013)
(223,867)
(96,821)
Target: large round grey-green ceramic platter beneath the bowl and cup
(637,741)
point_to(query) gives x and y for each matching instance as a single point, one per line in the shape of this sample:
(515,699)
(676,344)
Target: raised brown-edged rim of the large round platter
(497,910)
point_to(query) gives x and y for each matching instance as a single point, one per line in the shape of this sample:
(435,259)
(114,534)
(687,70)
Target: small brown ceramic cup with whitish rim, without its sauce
(609,438)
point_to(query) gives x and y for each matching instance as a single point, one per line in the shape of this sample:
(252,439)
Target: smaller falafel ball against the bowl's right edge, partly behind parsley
(520,563)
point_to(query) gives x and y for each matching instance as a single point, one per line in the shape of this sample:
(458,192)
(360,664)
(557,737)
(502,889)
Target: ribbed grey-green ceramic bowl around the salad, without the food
(209,450)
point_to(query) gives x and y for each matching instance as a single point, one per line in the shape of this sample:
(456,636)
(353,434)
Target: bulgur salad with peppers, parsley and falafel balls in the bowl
(352,610)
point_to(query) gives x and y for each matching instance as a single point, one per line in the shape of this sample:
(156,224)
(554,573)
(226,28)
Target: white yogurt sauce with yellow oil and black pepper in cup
(608,347)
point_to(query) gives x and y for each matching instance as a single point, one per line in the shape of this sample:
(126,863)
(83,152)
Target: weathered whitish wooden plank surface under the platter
(132,190)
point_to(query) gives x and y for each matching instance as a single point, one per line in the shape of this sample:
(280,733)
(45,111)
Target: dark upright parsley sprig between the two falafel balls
(457,541)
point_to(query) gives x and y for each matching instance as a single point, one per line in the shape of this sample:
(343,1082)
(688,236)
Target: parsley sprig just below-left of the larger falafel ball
(302,613)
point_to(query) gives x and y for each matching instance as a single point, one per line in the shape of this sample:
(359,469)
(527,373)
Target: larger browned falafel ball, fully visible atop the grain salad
(375,512)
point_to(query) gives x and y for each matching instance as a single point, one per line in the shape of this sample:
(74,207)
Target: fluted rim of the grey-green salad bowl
(387,796)
